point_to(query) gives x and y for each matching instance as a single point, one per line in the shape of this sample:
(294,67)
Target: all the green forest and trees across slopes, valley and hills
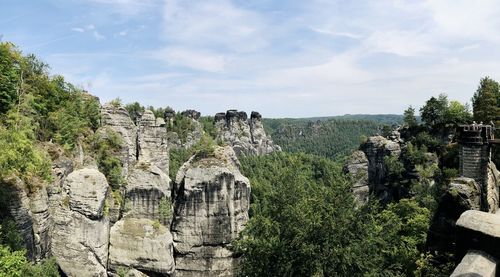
(304,220)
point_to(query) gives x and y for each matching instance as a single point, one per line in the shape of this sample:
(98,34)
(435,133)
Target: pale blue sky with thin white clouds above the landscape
(281,58)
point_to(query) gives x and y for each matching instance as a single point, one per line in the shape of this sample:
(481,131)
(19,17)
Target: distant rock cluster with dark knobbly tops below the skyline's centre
(246,136)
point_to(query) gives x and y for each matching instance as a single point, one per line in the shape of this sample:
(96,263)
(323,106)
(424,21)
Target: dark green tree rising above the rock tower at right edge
(486,101)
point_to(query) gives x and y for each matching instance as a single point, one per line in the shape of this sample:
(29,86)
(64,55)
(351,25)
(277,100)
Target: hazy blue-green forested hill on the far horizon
(330,137)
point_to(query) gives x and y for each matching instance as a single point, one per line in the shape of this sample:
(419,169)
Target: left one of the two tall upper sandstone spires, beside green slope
(118,120)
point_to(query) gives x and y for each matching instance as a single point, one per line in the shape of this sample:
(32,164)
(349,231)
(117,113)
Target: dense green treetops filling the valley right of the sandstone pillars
(304,222)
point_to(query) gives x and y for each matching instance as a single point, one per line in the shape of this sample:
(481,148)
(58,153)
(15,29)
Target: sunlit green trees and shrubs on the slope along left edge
(41,116)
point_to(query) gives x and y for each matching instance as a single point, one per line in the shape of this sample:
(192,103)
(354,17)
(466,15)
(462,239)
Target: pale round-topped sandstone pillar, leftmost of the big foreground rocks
(80,236)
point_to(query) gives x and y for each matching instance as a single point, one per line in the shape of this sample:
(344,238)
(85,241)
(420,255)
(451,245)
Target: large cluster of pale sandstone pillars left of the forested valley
(92,230)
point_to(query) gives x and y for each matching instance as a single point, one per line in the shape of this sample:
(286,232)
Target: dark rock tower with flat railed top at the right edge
(475,158)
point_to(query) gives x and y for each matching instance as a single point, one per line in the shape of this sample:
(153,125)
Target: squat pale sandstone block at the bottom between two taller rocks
(143,245)
